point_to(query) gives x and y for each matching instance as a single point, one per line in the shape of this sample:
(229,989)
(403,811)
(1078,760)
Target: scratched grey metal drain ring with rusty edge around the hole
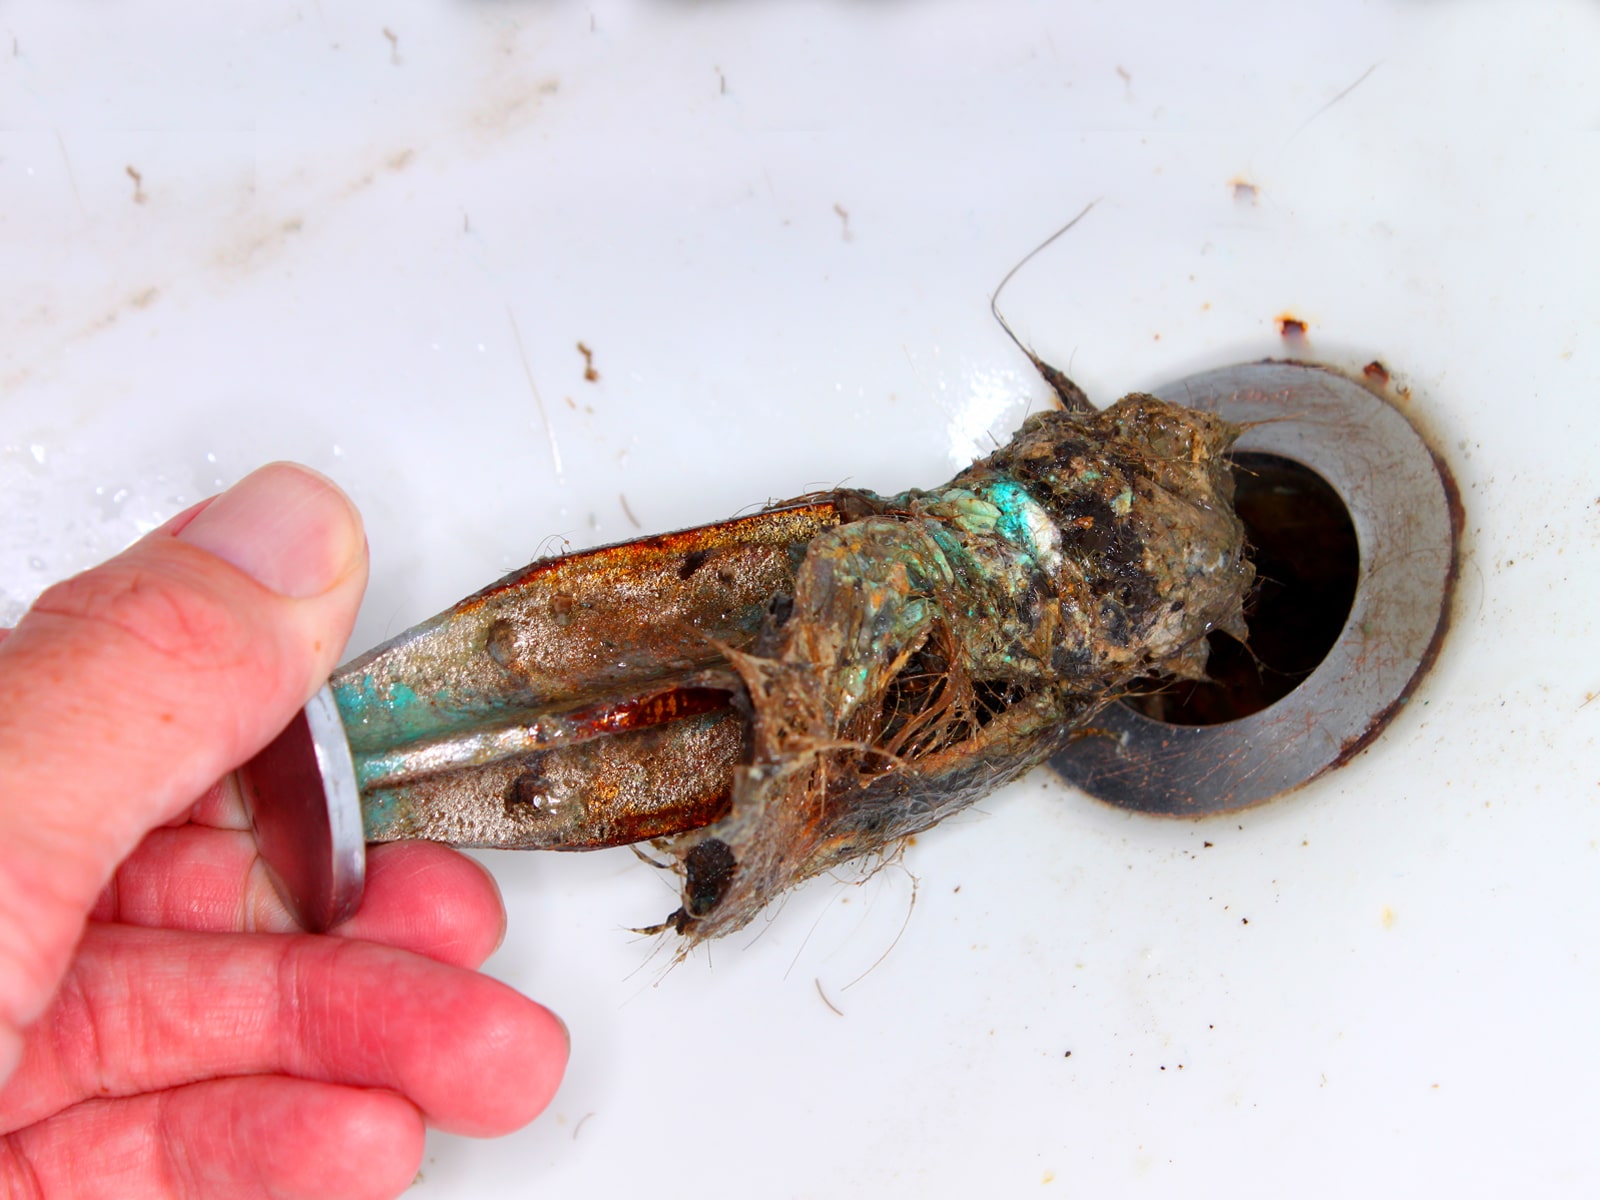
(1407,516)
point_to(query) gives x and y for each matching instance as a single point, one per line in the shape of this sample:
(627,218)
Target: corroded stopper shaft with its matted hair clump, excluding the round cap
(876,663)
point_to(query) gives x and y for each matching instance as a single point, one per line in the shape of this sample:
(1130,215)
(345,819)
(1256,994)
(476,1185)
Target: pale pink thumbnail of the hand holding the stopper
(287,527)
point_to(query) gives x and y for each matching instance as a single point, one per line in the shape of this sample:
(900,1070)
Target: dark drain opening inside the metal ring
(1308,562)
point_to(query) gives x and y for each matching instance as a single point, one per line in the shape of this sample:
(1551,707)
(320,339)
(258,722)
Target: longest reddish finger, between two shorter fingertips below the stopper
(145,1010)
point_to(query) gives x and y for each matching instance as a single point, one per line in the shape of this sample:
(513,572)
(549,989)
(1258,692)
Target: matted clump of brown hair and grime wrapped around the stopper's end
(946,641)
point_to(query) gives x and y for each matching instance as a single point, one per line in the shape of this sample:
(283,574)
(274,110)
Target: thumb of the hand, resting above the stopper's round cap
(130,689)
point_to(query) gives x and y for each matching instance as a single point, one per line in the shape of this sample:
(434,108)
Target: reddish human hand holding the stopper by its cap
(164,1026)
